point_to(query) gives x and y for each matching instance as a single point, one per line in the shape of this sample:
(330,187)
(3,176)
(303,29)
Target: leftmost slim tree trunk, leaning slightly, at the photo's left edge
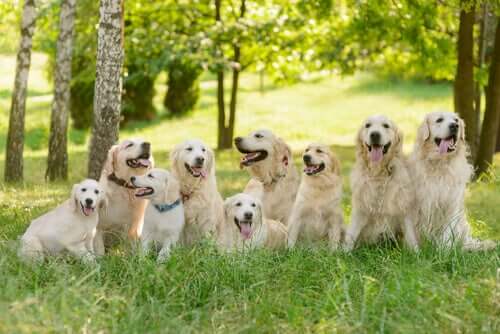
(15,136)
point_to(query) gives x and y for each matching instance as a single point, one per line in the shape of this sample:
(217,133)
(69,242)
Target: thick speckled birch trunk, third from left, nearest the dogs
(108,84)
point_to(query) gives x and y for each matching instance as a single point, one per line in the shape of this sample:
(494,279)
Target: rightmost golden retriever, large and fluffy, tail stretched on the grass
(441,173)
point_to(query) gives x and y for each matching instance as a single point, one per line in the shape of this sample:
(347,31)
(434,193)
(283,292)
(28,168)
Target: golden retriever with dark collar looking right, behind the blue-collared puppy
(125,213)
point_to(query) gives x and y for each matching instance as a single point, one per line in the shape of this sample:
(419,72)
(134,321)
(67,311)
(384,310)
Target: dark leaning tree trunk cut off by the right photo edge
(489,133)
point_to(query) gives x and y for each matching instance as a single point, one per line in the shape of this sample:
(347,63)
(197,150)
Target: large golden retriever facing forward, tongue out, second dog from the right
(382,188)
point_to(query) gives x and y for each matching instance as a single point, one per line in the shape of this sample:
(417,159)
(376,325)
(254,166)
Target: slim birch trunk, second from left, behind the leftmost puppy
(57,161)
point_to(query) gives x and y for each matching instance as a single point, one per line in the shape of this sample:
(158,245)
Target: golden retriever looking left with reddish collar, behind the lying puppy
(275,179)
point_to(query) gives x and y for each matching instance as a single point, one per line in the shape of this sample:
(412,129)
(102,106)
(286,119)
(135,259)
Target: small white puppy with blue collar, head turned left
(164,217)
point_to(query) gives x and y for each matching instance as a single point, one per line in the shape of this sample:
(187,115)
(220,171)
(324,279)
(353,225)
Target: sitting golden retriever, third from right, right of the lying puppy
(317,214)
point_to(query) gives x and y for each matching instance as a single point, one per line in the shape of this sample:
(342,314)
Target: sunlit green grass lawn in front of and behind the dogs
(374,289)
